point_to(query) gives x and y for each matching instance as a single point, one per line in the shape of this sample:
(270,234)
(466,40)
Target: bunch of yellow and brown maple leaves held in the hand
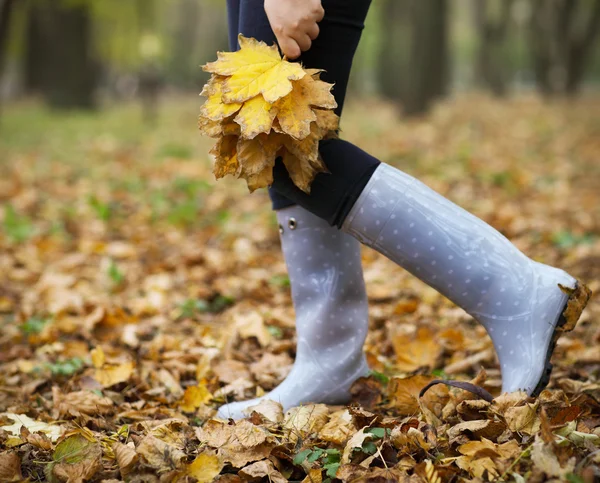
(259,107)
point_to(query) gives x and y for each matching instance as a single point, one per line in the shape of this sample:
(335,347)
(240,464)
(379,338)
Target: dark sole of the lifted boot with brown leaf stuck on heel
(578,299)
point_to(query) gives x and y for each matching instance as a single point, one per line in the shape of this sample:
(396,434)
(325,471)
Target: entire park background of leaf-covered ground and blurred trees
(137,294)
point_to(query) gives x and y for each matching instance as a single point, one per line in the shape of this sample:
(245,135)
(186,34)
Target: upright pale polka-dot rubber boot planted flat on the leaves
(330,302)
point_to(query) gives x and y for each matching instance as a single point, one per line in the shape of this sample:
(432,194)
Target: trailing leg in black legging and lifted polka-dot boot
(518,301)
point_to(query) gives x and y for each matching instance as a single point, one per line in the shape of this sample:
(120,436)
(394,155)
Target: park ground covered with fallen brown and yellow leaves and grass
(136,295)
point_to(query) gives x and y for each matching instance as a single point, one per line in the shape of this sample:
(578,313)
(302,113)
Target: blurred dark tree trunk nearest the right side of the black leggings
(429,67)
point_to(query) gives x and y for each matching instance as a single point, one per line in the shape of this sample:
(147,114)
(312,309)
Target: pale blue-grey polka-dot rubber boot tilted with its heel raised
(516,299)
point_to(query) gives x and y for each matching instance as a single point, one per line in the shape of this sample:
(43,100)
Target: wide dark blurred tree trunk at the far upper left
(59,61)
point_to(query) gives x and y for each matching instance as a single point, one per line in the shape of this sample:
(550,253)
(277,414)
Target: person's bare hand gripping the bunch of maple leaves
(295,23)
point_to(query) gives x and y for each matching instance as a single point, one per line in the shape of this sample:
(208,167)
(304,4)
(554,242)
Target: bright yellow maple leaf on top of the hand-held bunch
(255,69)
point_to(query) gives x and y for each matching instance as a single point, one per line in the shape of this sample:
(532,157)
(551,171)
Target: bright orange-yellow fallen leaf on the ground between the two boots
(413,351)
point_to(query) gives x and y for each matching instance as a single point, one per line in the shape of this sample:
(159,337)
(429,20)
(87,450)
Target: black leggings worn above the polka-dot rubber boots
(332,194)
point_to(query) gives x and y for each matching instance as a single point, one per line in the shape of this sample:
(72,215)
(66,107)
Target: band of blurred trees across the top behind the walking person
(81,53)
